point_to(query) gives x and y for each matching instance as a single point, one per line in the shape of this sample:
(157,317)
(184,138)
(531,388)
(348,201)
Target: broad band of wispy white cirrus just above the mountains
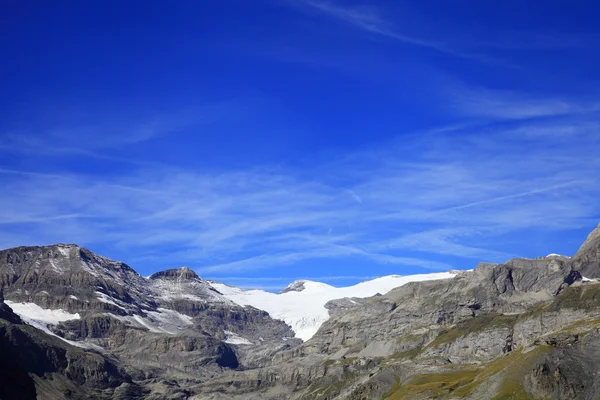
(460,193)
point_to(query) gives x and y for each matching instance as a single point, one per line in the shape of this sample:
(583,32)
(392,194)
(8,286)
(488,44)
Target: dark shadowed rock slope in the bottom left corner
(30,356)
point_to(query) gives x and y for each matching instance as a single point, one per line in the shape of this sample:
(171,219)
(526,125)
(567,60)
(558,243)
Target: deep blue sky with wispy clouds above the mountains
(264,141)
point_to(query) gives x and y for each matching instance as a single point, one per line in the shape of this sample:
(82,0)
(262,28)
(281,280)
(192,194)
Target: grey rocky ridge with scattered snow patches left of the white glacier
(168,331)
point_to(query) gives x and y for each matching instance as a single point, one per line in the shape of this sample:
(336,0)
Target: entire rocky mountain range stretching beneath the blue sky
(76,325)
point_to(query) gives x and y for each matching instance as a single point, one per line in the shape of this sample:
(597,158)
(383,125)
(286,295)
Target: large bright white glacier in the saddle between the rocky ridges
(302,304)
